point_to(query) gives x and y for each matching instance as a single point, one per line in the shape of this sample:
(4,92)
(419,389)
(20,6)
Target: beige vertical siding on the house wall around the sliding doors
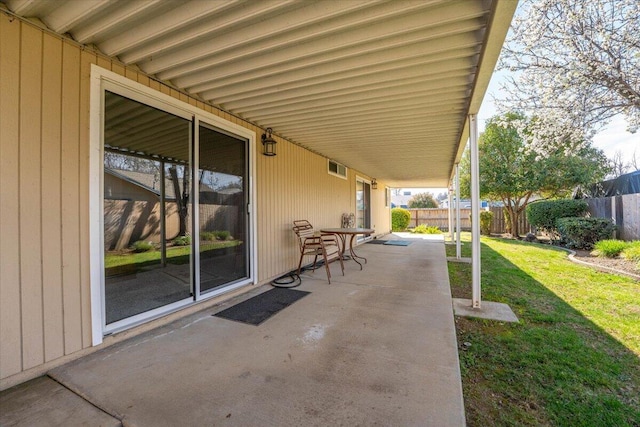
(45,305)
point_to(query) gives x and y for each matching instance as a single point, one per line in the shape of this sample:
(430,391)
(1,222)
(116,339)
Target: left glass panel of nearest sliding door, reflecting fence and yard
(147,186)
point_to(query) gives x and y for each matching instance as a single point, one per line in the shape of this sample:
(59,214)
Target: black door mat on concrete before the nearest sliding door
(256,310)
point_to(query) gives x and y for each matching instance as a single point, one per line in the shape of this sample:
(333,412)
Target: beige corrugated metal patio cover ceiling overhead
(384,87)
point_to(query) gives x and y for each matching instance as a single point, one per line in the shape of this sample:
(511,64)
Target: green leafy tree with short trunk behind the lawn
(512,175)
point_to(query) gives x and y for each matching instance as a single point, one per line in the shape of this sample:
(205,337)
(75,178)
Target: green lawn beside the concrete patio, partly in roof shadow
(574,358)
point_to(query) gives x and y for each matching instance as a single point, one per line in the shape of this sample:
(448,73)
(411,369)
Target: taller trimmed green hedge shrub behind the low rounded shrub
(545,214)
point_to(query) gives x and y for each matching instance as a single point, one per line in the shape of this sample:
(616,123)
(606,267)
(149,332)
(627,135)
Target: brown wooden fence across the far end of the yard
(439,217)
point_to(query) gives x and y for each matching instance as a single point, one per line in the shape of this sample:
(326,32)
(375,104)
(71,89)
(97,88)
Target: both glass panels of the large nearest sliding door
(175,219)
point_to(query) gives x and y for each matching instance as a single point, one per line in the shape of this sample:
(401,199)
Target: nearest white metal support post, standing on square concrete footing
(475,211)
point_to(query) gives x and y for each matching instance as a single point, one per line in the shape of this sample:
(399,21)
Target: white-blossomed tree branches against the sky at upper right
(574,64)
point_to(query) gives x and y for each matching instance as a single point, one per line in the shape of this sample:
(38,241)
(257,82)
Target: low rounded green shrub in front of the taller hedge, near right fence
(583,233)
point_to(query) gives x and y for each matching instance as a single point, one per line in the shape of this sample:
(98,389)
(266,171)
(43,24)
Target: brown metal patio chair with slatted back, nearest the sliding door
(317,244)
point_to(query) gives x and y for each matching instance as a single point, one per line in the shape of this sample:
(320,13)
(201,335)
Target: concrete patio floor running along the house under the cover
(376,347)
